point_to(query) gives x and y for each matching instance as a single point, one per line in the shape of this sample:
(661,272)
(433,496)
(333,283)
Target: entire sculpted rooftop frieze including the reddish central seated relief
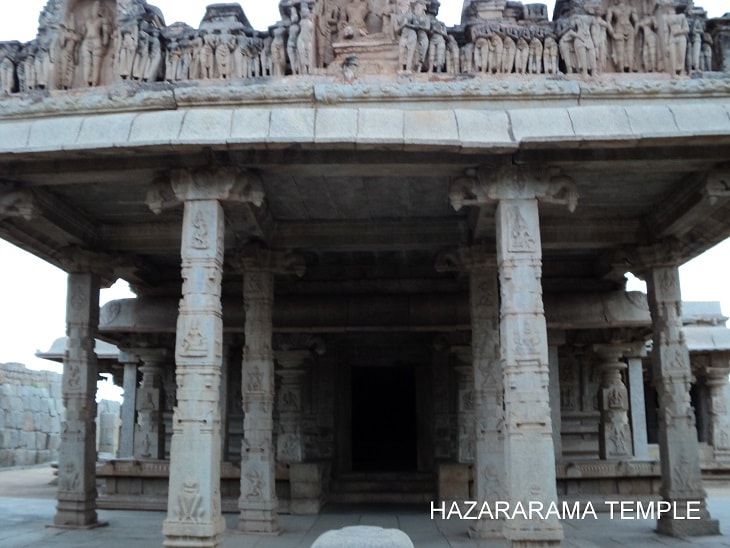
(91,43)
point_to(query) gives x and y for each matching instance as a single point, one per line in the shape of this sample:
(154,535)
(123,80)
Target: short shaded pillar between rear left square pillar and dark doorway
(290,441)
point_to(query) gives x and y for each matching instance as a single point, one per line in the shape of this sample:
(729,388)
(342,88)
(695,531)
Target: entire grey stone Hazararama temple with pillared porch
(374,252)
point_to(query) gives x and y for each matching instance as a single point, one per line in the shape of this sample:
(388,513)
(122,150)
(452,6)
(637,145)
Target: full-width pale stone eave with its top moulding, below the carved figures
(468,115)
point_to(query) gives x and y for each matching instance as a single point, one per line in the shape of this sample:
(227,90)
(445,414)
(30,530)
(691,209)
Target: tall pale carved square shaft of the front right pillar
(529,451)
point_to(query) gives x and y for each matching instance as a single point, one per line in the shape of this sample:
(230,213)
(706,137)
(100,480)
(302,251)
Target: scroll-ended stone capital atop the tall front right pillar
(492,183)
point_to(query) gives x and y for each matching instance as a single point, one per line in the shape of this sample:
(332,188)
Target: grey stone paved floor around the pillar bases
(27,506)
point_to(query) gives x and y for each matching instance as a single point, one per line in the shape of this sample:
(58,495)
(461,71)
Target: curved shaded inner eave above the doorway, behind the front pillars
(363,312)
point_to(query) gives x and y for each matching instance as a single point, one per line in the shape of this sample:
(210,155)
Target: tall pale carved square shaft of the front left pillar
(194,500)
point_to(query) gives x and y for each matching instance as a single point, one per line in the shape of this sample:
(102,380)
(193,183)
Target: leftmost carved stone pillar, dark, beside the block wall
(77,454)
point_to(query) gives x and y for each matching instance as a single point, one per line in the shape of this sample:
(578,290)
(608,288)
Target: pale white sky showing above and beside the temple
(33,293)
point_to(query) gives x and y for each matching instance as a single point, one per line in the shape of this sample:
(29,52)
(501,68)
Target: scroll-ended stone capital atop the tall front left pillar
(224,184)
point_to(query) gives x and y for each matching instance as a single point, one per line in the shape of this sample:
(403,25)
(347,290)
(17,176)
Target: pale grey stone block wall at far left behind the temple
(31,411)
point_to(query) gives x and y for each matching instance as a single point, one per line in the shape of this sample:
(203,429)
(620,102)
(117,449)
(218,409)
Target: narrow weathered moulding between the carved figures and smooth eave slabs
(326,90)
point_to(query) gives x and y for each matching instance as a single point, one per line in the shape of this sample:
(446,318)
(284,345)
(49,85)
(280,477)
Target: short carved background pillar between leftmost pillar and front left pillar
(149,438)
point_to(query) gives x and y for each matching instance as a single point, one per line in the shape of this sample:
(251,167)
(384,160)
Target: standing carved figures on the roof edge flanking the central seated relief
(619,41)
